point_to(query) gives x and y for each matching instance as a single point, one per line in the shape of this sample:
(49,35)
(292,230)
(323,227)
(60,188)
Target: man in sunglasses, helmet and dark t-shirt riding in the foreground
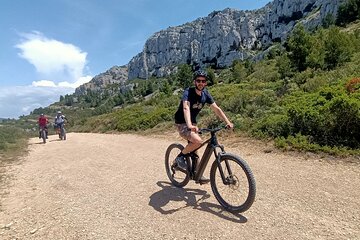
(193,100)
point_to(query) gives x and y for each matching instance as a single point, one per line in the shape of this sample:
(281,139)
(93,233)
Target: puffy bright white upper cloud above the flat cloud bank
(53,59)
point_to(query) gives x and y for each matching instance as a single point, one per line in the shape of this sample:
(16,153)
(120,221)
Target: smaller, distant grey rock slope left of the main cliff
(117,75)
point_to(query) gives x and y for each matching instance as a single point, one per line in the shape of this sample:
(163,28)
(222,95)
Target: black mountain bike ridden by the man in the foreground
(231,179)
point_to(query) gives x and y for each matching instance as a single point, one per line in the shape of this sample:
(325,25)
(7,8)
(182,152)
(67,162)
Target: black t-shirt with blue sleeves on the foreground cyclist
(196,104)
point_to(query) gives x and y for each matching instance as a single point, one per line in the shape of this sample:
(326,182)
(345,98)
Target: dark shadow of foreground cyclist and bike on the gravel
(193,198)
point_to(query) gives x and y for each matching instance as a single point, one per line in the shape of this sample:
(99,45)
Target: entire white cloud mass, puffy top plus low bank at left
(60,66)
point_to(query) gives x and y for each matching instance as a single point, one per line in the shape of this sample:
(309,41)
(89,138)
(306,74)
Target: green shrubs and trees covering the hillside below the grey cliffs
(304,95)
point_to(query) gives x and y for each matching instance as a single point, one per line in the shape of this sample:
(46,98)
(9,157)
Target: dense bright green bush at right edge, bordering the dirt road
(327,117)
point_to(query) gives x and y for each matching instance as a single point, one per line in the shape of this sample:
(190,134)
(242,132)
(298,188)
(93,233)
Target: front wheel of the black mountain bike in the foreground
(243,188)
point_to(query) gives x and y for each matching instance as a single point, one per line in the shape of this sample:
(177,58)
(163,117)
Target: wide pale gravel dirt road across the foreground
(95,186)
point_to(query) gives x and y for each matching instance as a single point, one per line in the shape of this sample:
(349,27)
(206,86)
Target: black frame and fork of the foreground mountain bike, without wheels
(212,146)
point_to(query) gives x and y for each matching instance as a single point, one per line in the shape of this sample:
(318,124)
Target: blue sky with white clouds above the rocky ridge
(50,47)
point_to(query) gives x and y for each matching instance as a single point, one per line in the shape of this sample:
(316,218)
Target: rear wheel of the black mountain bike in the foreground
(177,177)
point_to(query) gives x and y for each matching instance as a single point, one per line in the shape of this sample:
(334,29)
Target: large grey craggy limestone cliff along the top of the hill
(224,36)
